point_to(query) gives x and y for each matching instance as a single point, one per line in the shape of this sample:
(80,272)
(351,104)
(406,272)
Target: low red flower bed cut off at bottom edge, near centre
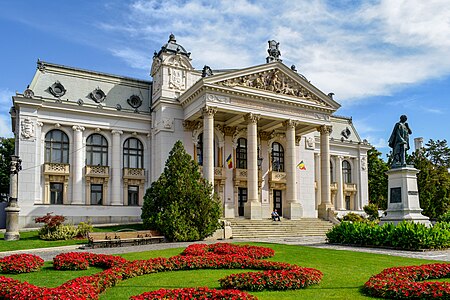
(194,293)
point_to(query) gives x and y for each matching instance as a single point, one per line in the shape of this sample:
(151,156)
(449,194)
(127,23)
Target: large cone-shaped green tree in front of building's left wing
(181,204)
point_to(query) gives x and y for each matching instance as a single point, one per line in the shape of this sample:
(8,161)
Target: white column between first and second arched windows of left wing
(77,171)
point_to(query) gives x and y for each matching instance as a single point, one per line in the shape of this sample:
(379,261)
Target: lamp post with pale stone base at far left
(12,210)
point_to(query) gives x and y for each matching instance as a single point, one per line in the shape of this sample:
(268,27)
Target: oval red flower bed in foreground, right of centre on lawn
(295,278)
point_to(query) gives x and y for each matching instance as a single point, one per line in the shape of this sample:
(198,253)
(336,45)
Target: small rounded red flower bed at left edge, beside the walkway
(21,263)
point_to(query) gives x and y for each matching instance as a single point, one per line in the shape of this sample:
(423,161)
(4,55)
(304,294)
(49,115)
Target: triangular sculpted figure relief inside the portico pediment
(273,81)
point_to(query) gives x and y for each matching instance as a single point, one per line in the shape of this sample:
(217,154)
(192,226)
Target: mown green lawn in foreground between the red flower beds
(344,273)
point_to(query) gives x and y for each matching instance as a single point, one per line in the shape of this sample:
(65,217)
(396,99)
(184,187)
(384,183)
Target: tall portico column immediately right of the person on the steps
(293,208)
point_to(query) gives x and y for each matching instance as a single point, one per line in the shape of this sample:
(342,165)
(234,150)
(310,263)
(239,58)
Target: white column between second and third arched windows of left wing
(116,194)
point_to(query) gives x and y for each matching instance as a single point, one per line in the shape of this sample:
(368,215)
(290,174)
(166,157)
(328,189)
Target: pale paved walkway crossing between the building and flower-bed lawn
(317,242)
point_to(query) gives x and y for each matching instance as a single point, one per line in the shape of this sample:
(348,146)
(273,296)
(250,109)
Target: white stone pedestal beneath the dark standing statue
(403,197)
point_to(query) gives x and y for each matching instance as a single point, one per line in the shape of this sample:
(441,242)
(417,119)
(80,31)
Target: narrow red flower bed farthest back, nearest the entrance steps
(225,248)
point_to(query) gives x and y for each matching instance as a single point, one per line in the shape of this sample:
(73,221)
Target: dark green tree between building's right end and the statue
(378,180)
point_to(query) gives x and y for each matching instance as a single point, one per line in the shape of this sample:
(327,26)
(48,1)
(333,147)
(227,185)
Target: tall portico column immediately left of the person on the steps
(252,209)
